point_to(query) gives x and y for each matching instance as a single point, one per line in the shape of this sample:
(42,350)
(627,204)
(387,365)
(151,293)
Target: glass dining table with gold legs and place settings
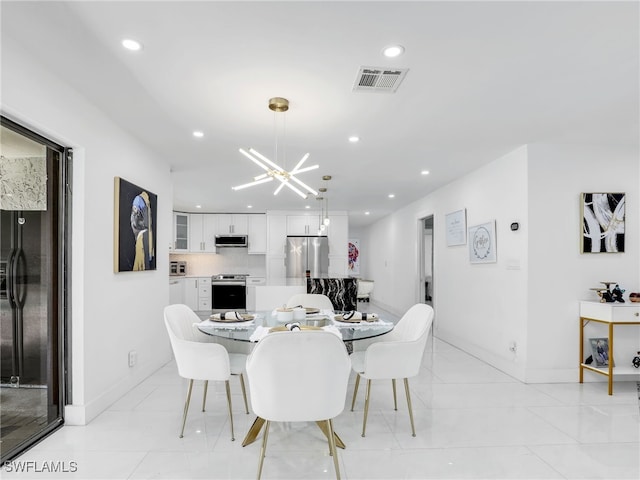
(253,325)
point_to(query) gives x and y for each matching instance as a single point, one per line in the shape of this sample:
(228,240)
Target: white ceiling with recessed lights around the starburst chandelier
(484,78)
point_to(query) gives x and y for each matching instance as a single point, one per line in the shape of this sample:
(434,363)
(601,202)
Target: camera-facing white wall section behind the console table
(559,274)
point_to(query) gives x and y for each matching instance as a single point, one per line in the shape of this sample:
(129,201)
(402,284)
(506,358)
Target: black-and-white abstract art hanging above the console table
(603,218)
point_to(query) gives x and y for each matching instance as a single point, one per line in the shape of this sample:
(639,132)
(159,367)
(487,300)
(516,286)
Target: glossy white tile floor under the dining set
(472,421)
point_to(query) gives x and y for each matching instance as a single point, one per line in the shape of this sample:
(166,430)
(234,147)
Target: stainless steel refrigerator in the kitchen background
(307,253)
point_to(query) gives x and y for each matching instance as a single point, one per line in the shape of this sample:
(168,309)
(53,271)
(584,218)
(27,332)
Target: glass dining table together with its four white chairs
(294,366)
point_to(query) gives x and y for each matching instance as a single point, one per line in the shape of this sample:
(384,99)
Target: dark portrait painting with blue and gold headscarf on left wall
(135,227)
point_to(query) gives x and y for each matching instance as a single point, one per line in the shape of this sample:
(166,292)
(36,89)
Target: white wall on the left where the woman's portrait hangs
(112,314)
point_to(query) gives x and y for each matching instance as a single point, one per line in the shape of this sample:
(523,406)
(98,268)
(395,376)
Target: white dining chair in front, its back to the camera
(314,392)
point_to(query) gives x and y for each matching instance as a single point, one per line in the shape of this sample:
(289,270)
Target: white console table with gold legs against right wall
(610,314)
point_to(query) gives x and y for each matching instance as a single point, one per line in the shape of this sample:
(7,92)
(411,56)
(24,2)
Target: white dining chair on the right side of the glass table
(398,355)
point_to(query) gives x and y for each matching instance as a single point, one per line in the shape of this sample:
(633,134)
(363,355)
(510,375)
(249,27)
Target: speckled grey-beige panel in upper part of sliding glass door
(23,183)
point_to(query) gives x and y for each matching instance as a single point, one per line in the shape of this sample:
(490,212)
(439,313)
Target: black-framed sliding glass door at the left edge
(32,302)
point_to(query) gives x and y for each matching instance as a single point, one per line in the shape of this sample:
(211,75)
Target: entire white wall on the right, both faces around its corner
(530,296)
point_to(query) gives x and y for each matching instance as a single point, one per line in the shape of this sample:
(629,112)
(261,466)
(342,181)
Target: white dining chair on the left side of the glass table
(200,360)
